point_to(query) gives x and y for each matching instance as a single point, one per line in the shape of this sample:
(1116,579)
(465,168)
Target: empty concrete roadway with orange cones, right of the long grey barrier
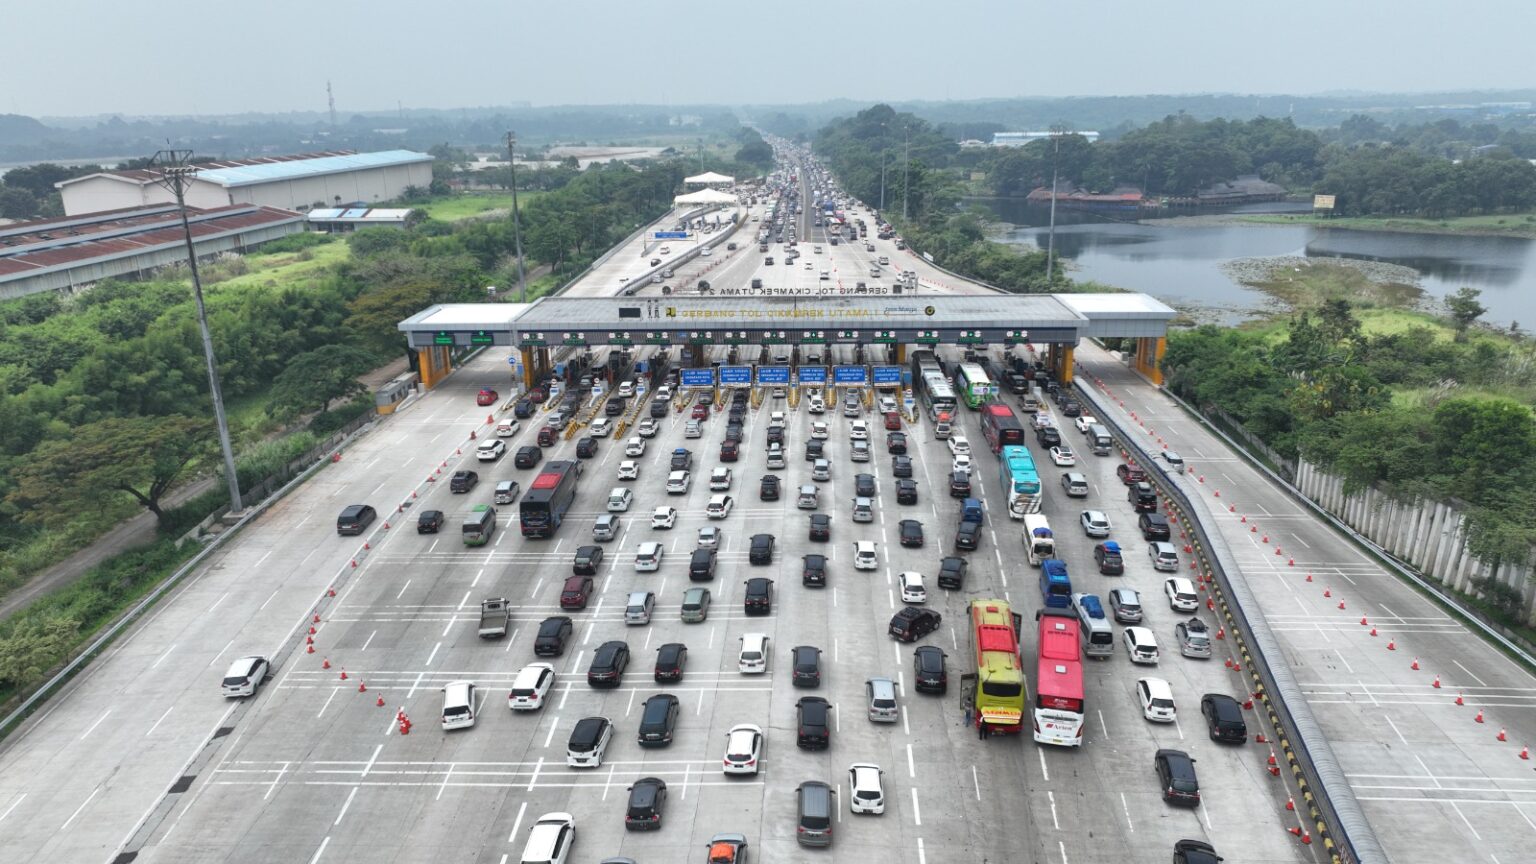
(1434,782)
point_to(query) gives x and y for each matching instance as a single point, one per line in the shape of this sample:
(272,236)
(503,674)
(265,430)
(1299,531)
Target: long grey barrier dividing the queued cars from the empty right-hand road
(1339,820)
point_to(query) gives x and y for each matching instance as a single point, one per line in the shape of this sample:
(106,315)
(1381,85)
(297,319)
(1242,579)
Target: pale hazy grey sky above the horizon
(70,58)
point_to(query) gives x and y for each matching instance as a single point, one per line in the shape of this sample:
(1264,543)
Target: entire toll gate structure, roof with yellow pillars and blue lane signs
(790,331)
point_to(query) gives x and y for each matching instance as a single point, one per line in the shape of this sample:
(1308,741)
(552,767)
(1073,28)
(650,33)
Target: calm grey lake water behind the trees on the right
(1182,264)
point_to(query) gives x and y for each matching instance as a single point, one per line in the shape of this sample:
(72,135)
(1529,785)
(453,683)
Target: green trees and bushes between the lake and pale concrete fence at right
(1409,411)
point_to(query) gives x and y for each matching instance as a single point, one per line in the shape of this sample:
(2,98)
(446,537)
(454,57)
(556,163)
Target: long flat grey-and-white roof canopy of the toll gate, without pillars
(996,319)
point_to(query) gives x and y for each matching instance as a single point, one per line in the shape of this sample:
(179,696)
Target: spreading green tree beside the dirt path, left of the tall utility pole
(139,456)
